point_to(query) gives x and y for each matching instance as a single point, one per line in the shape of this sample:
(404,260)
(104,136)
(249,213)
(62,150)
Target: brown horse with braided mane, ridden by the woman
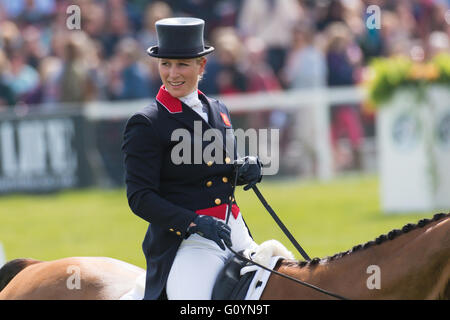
(408,263)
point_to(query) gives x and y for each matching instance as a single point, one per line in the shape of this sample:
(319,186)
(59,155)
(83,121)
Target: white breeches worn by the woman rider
(199,261)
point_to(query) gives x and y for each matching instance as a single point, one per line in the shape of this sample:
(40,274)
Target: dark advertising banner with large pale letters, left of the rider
(42,153)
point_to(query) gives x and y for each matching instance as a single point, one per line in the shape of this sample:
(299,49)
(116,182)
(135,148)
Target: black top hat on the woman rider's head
(180,38)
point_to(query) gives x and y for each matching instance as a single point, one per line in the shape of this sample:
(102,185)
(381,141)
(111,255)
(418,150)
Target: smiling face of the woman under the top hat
(180,76)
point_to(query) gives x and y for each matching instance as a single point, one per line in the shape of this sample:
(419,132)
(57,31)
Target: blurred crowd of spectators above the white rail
(260,45)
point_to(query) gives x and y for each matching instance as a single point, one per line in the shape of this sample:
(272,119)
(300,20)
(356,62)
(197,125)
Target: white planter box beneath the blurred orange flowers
(414,151)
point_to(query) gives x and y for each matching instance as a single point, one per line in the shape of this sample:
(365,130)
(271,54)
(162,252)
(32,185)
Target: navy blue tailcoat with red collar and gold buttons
(170,195)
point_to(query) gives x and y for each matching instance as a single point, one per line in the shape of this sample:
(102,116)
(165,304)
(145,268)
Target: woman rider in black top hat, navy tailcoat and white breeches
(185,202)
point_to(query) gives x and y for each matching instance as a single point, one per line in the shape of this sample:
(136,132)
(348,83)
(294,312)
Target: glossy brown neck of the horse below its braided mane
(413,260)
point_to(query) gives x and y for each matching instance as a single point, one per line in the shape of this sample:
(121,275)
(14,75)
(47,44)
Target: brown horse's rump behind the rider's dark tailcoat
(73,278)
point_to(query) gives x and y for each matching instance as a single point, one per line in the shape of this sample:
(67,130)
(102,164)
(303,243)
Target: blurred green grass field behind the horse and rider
(325,218)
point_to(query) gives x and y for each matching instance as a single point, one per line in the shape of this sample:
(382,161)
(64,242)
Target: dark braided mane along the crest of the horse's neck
(381,239)
